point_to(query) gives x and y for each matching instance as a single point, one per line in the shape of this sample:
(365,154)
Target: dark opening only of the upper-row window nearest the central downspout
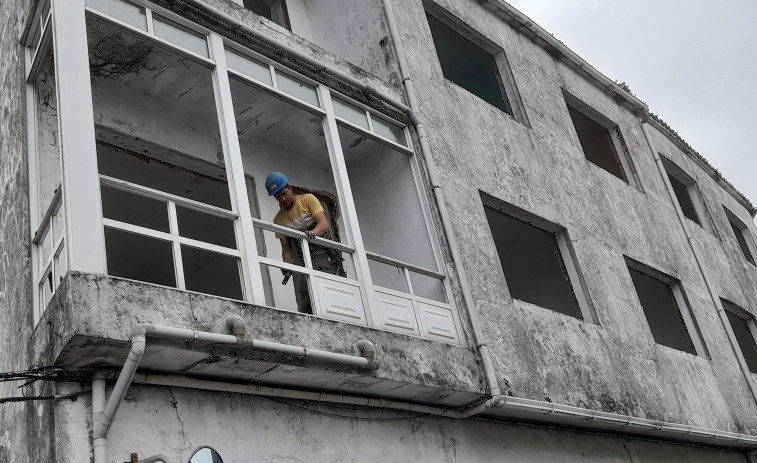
(468,65)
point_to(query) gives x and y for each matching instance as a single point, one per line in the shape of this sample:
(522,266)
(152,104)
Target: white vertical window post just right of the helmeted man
(348,204)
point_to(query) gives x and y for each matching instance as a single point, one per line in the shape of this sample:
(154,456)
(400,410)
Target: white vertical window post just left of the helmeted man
(246,242)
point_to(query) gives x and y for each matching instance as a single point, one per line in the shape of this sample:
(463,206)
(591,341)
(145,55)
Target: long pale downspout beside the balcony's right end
(480,340)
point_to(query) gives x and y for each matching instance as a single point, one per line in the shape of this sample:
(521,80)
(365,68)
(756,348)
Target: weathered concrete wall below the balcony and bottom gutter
(177,421)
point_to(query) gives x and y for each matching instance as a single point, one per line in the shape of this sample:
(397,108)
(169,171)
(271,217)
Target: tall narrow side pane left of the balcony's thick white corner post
(48,139)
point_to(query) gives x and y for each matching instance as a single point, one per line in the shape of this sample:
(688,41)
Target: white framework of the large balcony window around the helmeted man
(85,212)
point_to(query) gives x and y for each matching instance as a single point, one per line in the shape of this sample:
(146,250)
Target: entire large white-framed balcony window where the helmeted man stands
(186,130)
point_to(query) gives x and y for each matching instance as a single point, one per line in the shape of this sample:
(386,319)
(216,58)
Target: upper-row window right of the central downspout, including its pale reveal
(472,62)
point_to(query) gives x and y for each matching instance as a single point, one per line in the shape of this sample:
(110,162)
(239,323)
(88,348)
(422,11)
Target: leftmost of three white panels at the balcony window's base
(339,301)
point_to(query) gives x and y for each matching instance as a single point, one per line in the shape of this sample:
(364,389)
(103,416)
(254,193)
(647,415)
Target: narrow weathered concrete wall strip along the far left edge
(15,270)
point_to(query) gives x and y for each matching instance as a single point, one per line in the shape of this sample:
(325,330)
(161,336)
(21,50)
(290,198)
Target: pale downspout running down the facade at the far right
(698,258)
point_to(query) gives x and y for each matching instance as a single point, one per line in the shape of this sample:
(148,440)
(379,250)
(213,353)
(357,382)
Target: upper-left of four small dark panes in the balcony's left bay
(134,209)
